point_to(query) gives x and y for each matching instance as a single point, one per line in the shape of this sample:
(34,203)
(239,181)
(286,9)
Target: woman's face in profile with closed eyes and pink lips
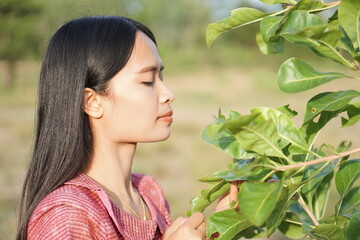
(137,107)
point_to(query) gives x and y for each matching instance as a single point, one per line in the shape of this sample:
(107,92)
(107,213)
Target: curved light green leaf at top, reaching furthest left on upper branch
(239,17)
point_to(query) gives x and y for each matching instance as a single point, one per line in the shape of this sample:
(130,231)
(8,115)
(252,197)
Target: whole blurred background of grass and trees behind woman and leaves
(233,74)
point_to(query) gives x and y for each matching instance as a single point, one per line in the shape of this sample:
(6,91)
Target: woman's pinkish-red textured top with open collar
(80,209)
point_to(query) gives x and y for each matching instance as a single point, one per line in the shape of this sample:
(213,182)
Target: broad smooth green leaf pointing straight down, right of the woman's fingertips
(258,200)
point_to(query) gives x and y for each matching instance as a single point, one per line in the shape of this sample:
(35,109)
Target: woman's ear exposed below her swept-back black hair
(92,103)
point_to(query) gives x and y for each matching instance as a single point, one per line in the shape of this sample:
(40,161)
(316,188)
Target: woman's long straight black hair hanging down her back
(85,52)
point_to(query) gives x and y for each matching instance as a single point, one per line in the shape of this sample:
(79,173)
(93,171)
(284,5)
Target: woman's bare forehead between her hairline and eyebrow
(144,54)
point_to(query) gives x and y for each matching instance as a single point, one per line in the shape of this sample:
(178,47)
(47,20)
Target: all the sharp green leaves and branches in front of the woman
(285,178)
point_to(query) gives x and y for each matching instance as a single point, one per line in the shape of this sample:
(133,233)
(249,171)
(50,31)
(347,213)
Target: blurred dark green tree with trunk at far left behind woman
(19,33)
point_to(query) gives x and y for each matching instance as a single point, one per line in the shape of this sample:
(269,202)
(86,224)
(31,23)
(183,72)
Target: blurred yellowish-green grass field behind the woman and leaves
(235,79)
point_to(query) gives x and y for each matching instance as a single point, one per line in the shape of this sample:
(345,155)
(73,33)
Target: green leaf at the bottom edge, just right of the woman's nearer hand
(227,223)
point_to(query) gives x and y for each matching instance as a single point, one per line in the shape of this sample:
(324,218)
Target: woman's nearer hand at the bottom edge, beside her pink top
(192,228)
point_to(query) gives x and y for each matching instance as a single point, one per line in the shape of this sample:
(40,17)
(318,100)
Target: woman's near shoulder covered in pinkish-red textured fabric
(67,212)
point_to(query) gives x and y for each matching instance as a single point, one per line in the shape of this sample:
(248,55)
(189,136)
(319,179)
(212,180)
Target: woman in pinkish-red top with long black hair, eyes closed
(100,93)
